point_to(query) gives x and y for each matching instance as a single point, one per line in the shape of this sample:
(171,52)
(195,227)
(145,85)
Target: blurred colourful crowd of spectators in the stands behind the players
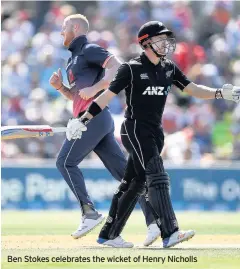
(208,51)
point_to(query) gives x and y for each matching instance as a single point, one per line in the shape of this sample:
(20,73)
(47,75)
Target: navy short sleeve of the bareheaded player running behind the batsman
(96,55)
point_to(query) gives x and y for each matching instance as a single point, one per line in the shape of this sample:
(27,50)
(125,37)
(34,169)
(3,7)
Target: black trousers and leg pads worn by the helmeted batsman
(144,144)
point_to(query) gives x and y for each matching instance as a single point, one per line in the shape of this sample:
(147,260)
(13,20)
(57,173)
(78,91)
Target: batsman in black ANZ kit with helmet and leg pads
(147,81)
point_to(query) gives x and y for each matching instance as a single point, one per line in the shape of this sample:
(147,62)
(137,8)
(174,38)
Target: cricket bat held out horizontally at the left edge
(24,131)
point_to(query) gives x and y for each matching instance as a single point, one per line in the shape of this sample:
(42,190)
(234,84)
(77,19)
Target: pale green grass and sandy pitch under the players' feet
(47,234)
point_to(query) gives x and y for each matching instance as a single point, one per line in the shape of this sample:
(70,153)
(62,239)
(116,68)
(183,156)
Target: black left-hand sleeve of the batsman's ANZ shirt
(122,79)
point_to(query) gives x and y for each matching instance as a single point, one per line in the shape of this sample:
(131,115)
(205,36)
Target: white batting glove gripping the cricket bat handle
(74,129)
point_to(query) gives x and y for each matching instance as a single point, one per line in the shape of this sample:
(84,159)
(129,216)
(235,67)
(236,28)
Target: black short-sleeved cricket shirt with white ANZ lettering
(146,87)
